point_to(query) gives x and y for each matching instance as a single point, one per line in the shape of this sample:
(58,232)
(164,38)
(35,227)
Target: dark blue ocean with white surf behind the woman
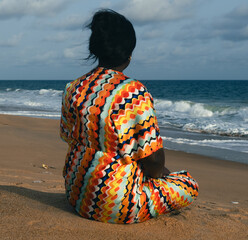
(204,117)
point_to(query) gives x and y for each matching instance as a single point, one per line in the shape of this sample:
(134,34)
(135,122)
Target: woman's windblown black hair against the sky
(112,39)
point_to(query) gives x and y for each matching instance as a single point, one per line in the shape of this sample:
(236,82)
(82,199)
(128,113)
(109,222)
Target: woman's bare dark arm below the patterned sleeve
(153,165)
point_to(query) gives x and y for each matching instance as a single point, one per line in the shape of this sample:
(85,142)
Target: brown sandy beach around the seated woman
(33,203)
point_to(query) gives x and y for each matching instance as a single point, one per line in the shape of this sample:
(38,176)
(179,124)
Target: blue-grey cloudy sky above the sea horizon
(176,39)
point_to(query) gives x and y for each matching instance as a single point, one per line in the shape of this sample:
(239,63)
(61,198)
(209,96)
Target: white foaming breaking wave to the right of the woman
(204,118)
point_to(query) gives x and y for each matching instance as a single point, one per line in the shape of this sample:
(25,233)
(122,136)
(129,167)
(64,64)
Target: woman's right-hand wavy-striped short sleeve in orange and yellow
(135,122)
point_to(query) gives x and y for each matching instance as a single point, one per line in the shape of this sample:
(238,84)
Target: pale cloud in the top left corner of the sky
(20,8)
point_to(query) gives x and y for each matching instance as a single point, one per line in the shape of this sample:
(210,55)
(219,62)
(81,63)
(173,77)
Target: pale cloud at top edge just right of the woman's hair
(146,11)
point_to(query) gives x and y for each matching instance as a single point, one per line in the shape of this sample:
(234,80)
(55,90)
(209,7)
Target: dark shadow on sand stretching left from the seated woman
(57,200)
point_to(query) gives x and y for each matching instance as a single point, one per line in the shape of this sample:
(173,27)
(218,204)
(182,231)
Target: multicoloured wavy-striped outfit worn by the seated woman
(109,123)
